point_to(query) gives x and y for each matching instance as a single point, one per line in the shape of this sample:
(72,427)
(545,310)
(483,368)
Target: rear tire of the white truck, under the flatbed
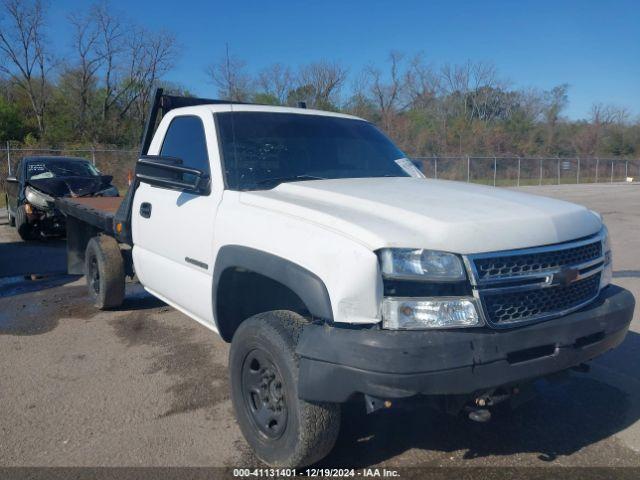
(104,270)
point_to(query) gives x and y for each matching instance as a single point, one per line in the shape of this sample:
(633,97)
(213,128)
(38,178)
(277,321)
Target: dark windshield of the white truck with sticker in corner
(263,149)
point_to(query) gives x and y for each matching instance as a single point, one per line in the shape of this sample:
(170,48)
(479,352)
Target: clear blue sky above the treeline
(594,46)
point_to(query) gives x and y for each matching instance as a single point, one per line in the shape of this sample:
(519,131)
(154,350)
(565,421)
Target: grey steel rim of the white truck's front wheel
(263,394)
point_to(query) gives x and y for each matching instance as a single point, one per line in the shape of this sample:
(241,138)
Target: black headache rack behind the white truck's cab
(162,104)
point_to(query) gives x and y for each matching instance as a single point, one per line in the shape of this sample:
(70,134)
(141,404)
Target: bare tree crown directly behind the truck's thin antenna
(230,78)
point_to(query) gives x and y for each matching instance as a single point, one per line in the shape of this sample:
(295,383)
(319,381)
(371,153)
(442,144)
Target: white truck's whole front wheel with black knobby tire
(282,429)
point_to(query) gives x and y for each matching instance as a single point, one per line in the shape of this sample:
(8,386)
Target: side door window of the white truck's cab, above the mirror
(185,139)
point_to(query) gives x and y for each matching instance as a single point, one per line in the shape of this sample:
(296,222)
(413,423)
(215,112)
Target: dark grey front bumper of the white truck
(336,363)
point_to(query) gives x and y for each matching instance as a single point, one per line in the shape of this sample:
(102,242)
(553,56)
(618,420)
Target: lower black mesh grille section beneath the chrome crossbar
(503,309)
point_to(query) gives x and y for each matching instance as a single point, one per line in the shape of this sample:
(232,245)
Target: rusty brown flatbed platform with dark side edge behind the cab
(96,211)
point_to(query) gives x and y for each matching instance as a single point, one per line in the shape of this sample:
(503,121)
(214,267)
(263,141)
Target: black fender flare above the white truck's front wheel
(304,283)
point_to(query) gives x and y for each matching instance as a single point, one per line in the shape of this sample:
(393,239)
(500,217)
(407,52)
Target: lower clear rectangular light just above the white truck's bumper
(424,313)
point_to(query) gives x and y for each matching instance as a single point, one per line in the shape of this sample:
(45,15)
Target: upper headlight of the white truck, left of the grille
(418,264)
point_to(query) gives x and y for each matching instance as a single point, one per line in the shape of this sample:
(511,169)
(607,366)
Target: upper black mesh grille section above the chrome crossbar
(511,265)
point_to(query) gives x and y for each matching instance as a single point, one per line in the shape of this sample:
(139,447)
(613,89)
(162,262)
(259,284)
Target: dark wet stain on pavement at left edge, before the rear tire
(39,312)
